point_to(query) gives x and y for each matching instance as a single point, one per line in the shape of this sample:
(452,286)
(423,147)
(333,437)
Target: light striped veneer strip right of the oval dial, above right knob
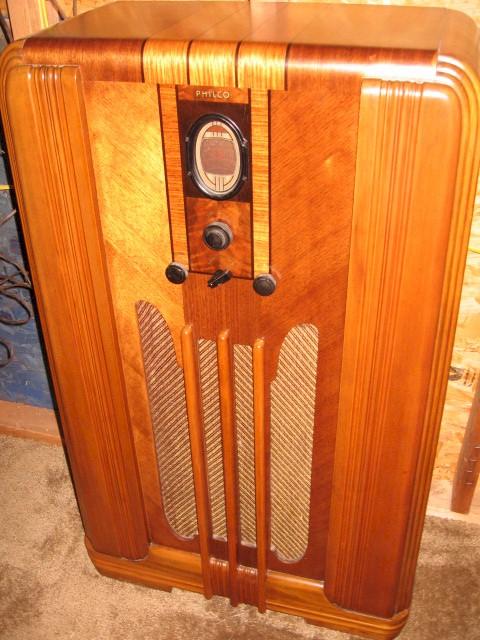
(259,114)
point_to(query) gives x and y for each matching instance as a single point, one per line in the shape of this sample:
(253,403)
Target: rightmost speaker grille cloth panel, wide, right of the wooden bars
(292,425)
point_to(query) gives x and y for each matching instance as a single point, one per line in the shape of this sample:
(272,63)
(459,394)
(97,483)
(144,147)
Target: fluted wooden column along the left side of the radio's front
(54,177)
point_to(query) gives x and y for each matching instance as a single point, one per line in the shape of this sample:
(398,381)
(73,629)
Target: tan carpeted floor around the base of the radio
(49,589)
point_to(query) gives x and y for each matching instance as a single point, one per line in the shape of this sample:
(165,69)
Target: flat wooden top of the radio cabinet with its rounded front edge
(341,31)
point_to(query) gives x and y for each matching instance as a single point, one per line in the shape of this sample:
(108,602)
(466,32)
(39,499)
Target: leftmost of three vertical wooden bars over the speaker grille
(197,443)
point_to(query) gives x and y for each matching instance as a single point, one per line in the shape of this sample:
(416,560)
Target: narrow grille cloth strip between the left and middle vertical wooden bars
(207,351)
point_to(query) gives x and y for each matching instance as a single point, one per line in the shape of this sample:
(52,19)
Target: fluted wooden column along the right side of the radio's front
(399,237)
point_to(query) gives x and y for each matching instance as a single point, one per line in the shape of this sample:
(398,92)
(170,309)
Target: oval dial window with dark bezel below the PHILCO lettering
(216,157)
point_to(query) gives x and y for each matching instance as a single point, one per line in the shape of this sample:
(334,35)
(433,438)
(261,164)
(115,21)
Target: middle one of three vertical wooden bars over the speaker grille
(225,375)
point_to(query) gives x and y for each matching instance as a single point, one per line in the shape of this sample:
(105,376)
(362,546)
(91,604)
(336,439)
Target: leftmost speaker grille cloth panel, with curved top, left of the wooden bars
(168,410)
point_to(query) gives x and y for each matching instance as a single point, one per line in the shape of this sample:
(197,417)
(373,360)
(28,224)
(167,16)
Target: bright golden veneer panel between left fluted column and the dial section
(136,234)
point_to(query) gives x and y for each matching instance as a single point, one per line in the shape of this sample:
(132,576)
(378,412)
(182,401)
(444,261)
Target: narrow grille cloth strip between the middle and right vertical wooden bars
(242,358)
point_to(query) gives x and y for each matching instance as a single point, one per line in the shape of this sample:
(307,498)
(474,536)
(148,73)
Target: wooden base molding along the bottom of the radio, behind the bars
(165,568)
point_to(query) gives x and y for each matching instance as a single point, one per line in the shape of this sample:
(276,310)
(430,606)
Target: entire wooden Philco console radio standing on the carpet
(247,227)
